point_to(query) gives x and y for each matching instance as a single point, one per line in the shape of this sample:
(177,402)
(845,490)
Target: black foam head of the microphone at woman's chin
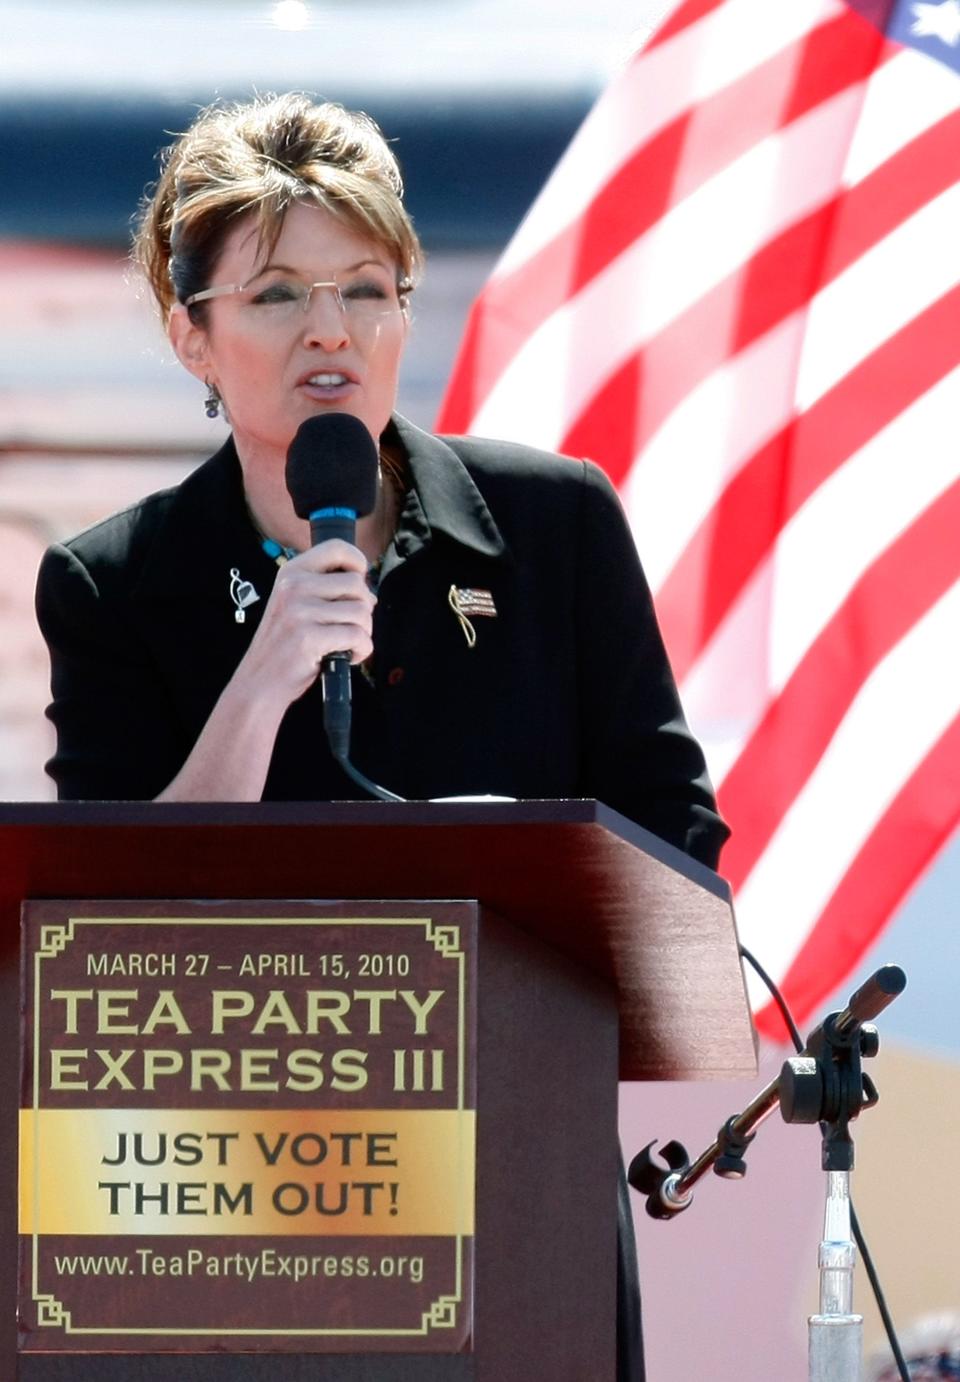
(332,464)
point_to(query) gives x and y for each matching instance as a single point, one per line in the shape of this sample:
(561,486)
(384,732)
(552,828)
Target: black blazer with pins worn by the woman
(566,693)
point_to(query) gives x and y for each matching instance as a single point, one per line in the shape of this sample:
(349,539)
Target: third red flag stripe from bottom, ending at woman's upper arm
(771,487)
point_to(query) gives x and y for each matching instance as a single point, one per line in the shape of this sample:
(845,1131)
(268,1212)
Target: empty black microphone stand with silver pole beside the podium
(825,1084)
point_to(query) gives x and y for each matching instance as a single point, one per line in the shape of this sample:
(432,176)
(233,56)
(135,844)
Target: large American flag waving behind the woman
(740,292)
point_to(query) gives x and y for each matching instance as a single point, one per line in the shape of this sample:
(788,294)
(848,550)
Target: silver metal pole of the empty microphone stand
(836,1334)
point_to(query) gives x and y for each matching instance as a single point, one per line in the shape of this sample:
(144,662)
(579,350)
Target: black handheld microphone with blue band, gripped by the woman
(332,480)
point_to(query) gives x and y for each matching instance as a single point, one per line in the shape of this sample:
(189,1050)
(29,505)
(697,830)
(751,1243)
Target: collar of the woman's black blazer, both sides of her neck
(208,524)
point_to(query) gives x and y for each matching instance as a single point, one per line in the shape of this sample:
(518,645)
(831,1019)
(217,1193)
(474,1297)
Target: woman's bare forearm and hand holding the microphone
(321,603)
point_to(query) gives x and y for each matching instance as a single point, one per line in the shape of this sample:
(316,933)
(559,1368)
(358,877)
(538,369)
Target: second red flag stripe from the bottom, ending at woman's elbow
(882,609)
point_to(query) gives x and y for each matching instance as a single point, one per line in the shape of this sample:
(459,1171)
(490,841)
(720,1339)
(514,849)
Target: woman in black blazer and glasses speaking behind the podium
(510,646)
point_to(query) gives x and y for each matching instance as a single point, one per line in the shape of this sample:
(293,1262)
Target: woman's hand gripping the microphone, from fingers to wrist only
(321,605)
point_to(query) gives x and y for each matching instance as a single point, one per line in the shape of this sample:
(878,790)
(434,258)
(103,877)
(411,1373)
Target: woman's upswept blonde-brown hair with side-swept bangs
(259,158)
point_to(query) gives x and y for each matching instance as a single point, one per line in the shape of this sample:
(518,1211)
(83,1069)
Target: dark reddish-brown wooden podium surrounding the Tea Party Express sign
(603,954)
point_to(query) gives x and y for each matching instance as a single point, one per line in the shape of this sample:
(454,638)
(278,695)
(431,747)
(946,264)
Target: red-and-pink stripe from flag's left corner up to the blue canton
(672,165)
